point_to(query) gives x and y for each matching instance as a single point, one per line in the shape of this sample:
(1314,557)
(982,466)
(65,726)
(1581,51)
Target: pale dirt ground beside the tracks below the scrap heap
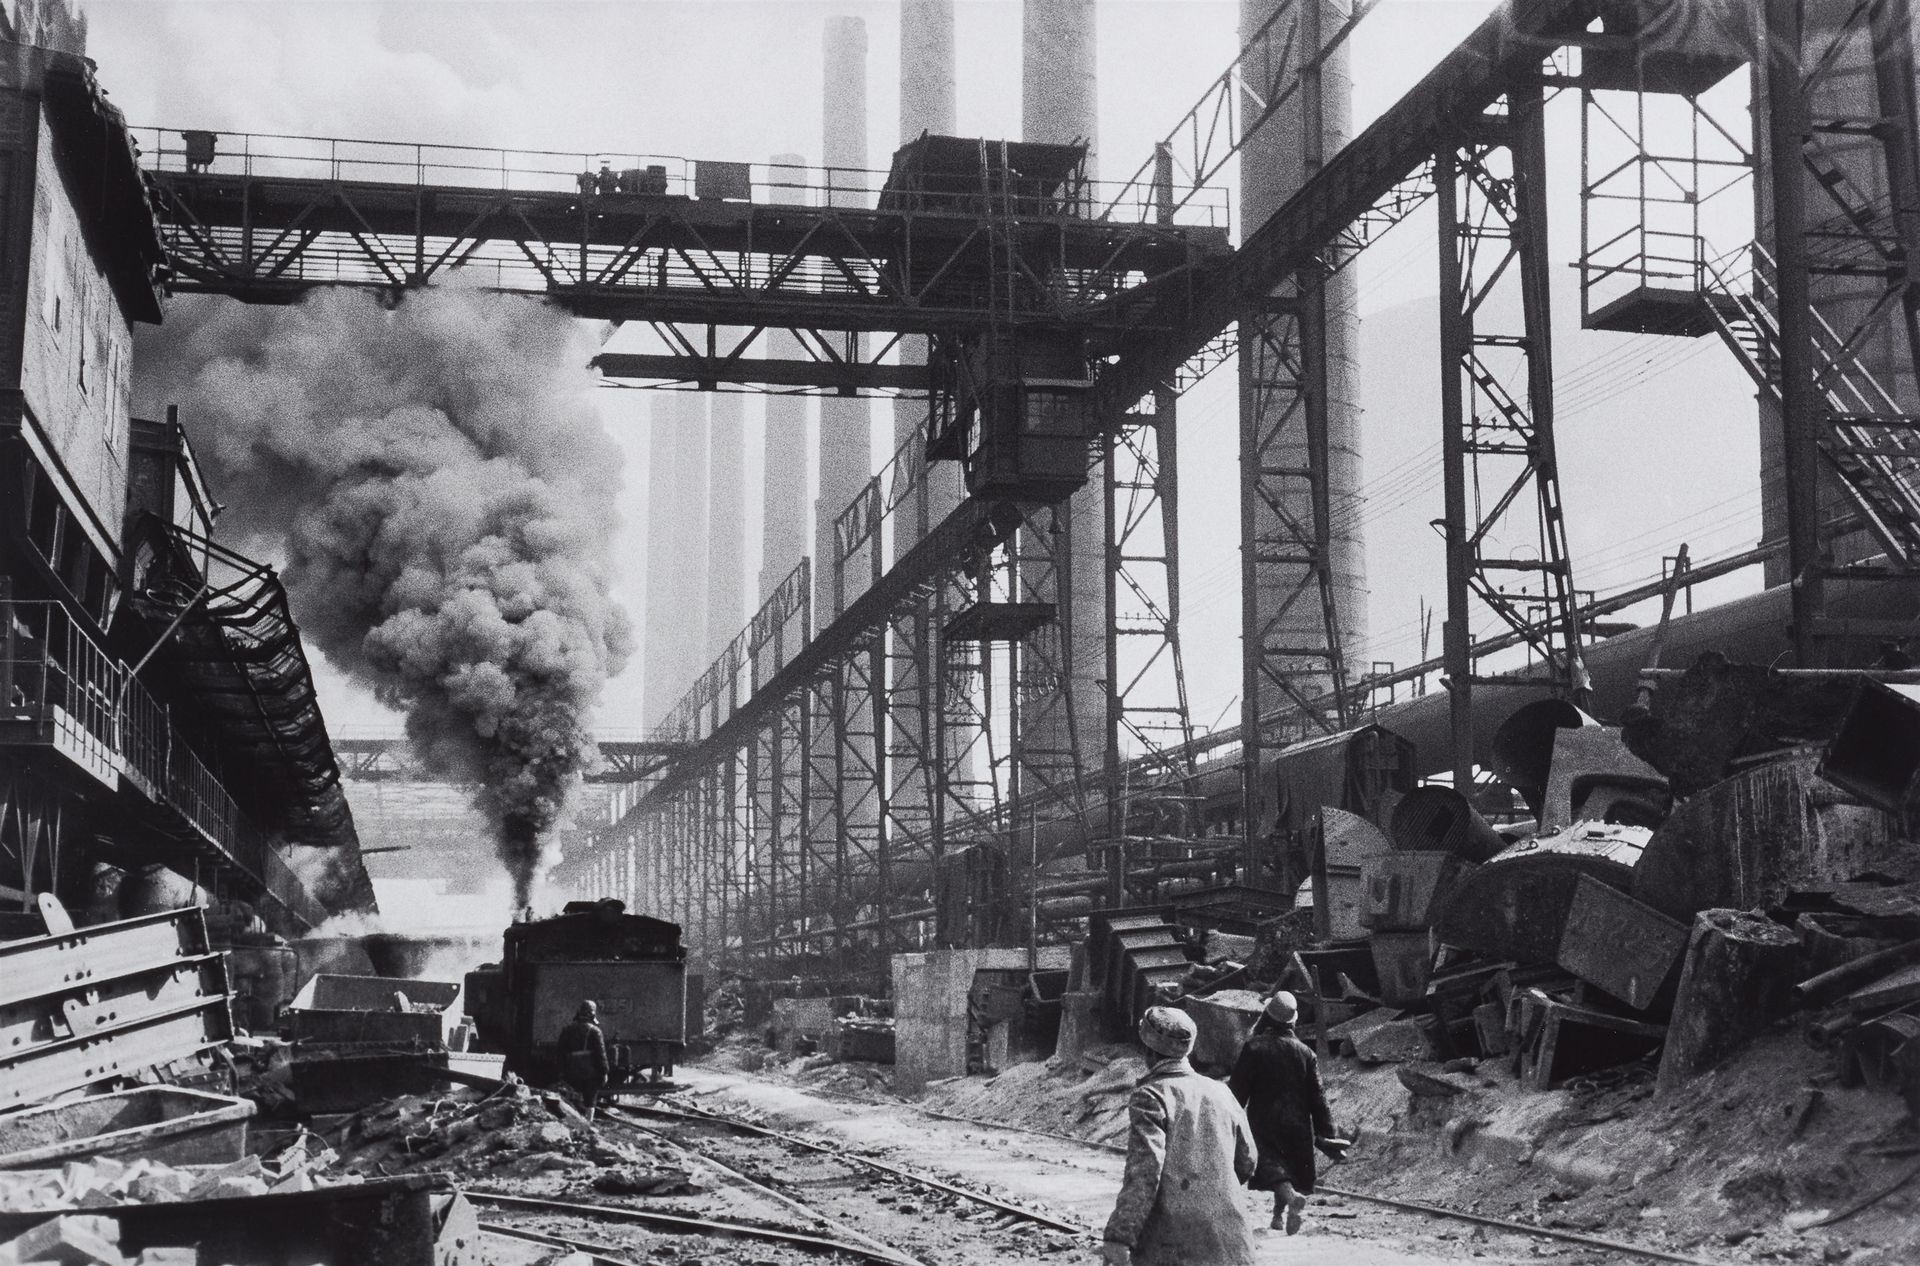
(1737,1167)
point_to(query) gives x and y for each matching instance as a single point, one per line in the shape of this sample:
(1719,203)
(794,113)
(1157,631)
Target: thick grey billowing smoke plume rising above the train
(444,499)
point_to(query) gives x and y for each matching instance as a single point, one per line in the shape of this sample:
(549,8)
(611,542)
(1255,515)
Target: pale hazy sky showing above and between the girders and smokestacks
(1658,435)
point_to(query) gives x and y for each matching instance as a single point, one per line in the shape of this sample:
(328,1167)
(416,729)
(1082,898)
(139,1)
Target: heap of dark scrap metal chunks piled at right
(1740,854)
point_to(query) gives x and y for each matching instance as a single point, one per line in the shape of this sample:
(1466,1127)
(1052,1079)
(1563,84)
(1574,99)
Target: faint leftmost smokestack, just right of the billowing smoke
(675,645)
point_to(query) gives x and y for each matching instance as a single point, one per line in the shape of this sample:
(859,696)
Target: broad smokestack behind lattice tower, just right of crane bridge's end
(1272,170)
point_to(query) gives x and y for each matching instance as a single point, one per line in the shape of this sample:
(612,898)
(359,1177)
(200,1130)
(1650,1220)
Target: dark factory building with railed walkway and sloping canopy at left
(158,719)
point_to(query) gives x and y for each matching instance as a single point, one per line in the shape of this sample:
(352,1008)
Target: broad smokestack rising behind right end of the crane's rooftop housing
(1059,107)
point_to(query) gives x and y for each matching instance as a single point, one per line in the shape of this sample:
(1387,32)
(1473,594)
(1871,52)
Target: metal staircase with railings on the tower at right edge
(1869,443)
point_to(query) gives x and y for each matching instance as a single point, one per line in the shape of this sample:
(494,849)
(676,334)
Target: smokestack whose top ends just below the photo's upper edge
(846,426)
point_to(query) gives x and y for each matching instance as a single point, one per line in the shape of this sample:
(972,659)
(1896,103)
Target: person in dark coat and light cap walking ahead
(1278,1079)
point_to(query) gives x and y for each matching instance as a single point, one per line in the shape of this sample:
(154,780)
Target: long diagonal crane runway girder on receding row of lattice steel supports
(951,783)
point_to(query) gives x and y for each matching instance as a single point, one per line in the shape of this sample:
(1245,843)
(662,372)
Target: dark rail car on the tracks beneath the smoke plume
(633,967)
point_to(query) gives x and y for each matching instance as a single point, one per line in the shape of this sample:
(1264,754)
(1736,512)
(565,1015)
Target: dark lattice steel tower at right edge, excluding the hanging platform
(1846,199)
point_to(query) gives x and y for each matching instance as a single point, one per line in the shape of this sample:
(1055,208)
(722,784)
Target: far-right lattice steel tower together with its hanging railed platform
(1819,304)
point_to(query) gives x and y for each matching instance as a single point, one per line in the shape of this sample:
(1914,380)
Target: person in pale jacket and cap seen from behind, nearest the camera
(1189,1152)
